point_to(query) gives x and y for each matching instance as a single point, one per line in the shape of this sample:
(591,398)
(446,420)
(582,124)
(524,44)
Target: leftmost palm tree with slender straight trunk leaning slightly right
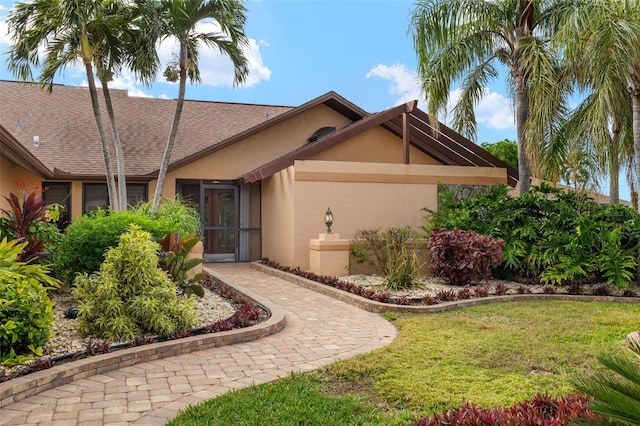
(66,30)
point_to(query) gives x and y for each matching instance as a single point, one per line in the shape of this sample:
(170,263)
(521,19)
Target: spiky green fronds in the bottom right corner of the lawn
(615,391)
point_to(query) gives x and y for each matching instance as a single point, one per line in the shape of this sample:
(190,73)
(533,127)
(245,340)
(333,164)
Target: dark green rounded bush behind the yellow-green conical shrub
(83,247)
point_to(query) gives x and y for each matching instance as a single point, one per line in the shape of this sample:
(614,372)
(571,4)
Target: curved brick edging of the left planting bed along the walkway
(22,387)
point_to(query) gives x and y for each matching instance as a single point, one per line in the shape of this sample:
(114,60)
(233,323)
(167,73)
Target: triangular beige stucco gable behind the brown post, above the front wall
(374,145)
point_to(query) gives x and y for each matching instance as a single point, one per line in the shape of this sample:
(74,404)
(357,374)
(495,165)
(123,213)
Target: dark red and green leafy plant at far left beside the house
(28,220)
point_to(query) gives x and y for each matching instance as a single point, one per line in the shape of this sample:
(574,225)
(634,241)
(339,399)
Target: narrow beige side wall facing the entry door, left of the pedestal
(278,217)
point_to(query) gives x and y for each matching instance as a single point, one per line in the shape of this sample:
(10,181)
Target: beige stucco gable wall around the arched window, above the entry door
(256,150)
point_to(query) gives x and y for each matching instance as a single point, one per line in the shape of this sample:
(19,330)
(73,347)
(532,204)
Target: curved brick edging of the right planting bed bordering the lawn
(379,307)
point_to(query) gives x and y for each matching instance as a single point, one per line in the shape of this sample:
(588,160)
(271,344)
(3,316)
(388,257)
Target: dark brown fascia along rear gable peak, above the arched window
(330,99)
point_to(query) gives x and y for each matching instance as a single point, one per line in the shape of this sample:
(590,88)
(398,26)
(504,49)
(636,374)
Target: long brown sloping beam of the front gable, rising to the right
(327,142)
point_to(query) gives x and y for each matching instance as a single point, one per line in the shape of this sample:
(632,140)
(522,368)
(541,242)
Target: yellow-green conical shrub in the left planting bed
(131,295)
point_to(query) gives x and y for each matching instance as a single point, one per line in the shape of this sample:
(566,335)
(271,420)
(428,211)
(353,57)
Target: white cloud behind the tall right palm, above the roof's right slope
(494,110)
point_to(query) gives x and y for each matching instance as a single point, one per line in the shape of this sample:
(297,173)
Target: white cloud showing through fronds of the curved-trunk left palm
(216,69)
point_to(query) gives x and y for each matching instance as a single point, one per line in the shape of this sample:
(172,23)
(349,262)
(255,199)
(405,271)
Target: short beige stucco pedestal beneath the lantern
(329,255)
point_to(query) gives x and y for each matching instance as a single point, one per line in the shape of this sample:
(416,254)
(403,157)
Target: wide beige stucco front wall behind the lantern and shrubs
(368,195)
